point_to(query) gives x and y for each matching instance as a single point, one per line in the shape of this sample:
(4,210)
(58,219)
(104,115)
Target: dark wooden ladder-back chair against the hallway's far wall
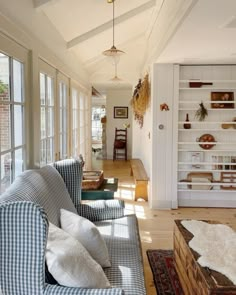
(120,144)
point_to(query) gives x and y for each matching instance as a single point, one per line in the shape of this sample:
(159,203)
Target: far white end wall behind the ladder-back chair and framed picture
(119,97)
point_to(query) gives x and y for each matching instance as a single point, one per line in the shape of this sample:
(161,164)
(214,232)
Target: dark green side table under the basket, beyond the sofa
(104,192)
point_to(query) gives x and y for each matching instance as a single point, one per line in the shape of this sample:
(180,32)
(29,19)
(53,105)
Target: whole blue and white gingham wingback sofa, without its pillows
(35,198)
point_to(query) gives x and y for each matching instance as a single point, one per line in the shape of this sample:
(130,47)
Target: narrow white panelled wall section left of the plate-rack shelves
(162,190)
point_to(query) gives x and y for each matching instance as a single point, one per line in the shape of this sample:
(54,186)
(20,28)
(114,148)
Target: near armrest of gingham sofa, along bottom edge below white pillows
(60,290)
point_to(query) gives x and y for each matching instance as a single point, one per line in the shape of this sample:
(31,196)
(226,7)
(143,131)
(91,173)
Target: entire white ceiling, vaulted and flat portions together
(172,31)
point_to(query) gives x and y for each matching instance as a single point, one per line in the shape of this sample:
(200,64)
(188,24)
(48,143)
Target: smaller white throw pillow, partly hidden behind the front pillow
(87,234)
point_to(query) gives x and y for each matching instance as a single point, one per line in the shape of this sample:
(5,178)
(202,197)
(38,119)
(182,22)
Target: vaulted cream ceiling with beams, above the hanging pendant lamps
(142,29)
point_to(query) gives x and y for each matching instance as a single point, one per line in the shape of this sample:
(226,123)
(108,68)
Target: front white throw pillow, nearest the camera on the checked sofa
(70,263)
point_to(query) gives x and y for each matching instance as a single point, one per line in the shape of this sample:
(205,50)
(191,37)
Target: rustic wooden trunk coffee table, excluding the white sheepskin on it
(196,280)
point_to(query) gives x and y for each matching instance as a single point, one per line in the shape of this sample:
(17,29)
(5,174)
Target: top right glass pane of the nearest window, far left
(17,81)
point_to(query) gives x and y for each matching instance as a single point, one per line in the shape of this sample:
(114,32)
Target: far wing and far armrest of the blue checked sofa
(71,170)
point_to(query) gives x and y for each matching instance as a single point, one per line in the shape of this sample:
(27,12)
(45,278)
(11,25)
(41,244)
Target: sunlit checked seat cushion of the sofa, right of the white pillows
(123,242)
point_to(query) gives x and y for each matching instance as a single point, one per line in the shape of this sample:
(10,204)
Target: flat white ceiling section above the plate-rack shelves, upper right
(207,35)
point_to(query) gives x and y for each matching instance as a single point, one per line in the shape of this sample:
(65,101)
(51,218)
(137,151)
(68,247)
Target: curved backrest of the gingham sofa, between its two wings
(43,186)
